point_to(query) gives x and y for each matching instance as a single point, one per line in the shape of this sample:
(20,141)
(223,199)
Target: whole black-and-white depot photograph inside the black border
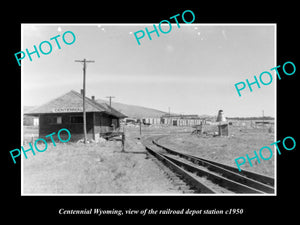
(107,111)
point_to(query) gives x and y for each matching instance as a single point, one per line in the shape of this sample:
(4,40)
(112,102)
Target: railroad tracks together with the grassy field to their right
(205,162)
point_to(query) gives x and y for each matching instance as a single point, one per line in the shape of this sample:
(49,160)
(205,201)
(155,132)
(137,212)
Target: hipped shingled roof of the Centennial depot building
(72,102)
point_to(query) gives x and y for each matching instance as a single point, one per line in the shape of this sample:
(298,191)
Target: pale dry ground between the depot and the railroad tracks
(94,168)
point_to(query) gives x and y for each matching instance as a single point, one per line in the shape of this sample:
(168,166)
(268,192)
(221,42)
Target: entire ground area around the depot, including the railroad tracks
(157,159)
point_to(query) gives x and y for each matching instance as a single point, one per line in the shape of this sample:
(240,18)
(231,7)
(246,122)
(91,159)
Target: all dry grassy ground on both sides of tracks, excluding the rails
(101,168)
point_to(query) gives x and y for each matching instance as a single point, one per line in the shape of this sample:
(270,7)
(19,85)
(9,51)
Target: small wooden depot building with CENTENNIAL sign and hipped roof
(66,111)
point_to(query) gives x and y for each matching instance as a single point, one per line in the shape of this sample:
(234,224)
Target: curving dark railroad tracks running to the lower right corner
(206,176)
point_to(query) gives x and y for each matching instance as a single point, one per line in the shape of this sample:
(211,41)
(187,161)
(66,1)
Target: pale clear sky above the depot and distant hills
(191,69)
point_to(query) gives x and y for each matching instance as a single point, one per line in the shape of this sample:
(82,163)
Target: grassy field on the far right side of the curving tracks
(241,141)
